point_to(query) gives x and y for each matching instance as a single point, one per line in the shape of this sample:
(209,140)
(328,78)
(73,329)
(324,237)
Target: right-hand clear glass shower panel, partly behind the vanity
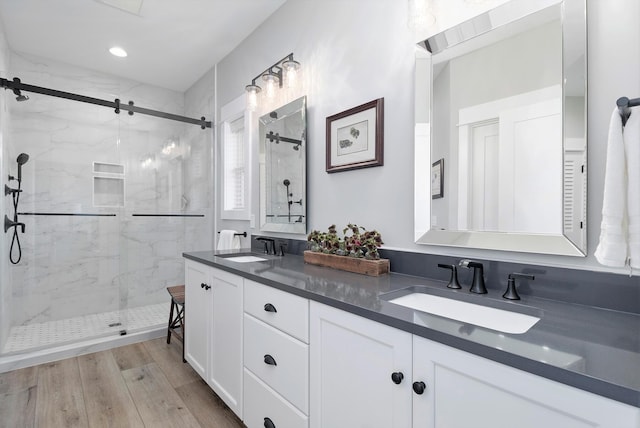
(166,212)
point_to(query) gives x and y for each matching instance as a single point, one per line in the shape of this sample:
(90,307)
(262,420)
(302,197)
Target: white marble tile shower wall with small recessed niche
(77,265)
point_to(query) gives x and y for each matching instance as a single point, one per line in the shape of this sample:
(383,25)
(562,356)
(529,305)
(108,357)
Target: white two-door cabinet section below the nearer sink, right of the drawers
(352,361)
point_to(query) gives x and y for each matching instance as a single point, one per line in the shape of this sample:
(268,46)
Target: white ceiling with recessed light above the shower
(171,43)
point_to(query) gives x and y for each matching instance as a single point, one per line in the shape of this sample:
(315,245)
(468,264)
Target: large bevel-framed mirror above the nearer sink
(500,132)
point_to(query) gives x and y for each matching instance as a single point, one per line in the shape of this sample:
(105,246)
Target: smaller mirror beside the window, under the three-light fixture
(282,145)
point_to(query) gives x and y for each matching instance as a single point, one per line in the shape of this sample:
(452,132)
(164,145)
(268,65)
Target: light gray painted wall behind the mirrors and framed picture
(356,51)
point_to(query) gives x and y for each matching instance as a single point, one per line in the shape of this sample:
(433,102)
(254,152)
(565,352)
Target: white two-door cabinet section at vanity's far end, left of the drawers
(213,329)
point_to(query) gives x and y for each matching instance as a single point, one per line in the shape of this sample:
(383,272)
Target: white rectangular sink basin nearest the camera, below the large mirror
(483,316)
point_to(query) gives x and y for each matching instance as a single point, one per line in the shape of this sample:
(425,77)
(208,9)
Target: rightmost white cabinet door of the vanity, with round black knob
(473,391)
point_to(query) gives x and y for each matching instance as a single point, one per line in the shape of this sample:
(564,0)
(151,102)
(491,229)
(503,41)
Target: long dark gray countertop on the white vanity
(593,349)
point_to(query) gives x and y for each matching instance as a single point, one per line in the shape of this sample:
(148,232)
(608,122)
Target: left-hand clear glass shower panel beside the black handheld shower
(66,286)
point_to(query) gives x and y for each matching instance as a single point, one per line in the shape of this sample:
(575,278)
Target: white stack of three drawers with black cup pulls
(276,358)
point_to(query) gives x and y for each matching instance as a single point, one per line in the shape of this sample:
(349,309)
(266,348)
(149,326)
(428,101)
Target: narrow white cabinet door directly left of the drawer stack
(225,370)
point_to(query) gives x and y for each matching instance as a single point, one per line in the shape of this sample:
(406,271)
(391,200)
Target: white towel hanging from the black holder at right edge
(620,228)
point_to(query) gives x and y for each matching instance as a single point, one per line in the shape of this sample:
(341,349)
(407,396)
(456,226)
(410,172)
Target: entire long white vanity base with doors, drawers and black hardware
(279,360)
